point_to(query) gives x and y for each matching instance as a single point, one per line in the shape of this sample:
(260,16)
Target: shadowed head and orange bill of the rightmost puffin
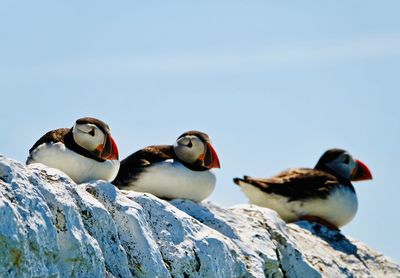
(341,164)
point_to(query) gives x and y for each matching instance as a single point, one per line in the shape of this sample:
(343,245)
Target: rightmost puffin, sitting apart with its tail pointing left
(323,194)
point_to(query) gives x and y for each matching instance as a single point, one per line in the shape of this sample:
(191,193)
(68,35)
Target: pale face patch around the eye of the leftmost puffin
(88,136)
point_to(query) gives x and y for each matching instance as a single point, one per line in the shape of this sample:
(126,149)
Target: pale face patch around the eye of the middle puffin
(189,148)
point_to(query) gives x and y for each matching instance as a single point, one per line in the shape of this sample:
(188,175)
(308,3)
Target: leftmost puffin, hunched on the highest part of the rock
(85,152)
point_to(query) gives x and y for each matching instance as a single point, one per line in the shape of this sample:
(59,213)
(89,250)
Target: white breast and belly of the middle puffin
(172,180)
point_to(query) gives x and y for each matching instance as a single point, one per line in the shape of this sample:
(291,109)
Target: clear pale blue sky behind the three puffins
(273,83)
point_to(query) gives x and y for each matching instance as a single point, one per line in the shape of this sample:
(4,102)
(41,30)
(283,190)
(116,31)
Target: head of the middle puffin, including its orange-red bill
(194,147)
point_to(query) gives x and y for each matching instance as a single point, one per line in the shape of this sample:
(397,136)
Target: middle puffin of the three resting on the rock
(178,171)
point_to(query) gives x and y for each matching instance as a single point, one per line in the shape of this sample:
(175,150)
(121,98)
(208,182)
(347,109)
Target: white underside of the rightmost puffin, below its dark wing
(339,208)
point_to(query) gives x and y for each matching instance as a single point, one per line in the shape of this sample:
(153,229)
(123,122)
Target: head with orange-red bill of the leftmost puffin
(94,136)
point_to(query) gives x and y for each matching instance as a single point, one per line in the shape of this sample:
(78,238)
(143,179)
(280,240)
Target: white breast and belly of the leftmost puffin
(79,168)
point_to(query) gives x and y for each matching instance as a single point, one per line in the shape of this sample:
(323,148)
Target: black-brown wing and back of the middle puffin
(131,166)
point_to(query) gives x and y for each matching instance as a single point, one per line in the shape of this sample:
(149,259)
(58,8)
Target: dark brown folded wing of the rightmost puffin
(295,184)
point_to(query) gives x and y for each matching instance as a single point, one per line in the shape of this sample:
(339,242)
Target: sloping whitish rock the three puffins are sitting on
(52,227)
